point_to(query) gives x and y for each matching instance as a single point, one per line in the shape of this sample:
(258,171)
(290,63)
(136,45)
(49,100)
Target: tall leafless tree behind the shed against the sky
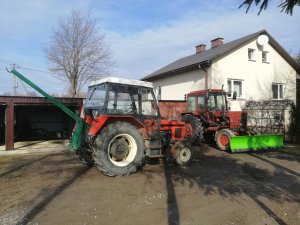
(78,52)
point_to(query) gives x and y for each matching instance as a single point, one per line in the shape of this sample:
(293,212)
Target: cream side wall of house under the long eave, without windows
(175,87)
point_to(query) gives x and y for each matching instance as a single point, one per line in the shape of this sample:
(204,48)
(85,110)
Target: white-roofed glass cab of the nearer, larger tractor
(121,97)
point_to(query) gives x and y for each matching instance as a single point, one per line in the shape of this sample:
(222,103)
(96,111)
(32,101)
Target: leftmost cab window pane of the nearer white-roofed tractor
(96,97)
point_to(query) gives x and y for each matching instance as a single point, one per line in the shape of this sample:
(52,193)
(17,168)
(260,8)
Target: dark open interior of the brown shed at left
(40,122)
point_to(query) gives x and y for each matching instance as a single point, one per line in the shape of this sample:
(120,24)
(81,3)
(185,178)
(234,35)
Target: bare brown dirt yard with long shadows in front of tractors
(217,188)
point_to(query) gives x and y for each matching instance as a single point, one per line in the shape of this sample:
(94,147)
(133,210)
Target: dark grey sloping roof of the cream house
(193,62)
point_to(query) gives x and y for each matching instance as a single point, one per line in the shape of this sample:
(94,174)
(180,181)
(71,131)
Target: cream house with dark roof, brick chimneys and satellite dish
(255,66)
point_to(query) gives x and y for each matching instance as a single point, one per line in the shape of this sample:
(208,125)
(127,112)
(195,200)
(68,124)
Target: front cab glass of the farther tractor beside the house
(216,101)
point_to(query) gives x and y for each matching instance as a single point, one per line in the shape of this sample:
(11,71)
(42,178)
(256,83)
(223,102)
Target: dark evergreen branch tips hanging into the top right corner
(287,6)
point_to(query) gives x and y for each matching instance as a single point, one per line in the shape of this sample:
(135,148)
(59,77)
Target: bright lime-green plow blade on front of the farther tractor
(256,142)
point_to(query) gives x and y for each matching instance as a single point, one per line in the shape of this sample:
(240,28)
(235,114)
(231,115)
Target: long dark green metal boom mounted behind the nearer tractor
(80,124)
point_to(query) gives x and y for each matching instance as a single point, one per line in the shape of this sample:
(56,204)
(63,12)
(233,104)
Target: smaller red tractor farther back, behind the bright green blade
(208,113)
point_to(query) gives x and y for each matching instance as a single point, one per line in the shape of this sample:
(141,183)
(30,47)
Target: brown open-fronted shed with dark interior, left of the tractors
(34,118)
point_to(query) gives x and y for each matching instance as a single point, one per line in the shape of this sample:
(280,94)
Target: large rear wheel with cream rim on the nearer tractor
(119,149)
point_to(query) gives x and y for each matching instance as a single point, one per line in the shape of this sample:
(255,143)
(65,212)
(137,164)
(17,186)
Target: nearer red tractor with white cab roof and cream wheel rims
(126,127)
